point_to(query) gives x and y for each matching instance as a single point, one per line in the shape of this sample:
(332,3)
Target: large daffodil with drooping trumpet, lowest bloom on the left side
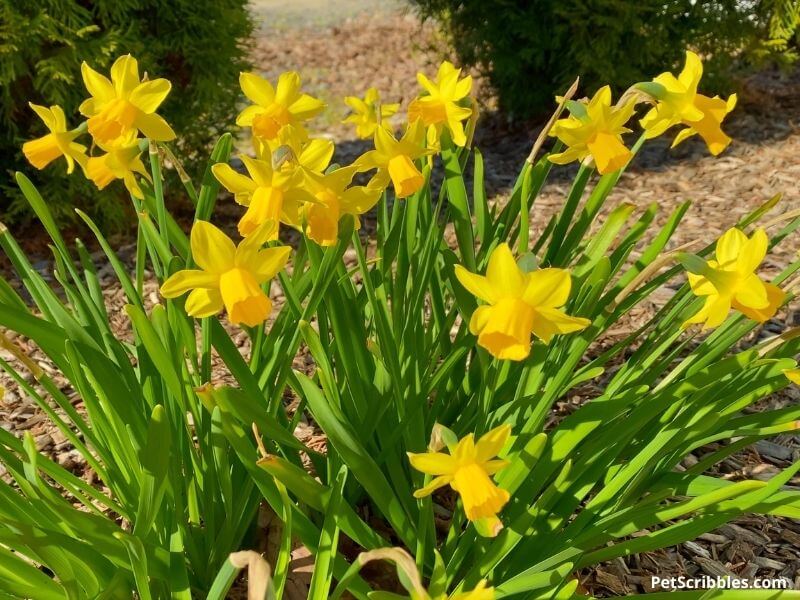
(229,277)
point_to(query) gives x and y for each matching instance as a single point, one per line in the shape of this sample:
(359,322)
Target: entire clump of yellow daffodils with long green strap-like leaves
(433,364)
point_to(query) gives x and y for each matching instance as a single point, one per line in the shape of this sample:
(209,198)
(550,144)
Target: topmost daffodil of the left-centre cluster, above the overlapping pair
(275,107)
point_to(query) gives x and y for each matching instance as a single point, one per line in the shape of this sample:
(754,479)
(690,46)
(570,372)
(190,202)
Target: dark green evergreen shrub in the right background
(528,48)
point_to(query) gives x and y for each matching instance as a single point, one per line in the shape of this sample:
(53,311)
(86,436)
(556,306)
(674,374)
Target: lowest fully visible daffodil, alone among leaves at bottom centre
(468,469)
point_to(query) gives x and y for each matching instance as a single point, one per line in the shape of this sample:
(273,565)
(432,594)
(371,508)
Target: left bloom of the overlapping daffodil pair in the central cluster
(269,193)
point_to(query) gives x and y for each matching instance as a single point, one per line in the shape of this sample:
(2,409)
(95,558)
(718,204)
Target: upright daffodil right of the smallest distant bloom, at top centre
(441,107)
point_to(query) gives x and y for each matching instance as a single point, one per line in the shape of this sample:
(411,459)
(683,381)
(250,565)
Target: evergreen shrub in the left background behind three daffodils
(199,45)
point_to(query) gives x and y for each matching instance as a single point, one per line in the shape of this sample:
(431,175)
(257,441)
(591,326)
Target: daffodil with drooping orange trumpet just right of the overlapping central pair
(394,159)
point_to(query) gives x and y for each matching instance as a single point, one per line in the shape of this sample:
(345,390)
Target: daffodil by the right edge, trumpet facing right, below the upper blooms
(730,281)
